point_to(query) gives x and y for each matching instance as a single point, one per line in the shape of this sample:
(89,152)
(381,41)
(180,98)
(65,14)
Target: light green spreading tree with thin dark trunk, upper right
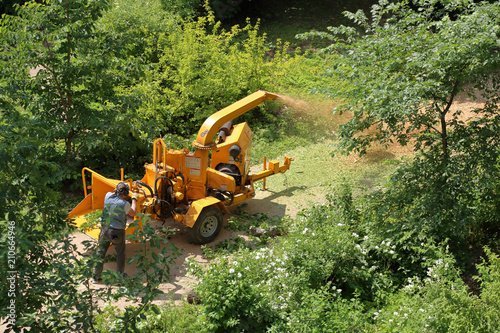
(407,65)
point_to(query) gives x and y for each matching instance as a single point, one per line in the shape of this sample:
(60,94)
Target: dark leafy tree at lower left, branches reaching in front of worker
(46,279)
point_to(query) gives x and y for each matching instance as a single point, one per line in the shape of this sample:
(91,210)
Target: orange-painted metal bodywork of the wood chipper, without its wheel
(189,173)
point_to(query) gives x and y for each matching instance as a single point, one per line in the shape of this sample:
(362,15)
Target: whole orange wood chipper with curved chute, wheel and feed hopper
(193,188)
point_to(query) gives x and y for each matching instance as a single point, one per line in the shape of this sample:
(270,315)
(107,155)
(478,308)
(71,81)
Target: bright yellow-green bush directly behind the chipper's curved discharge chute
(201,70)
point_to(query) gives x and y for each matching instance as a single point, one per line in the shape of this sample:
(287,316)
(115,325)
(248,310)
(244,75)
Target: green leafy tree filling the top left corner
(63,71)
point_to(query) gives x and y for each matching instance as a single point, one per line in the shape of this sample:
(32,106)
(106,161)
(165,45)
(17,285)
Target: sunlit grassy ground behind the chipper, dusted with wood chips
(315,172)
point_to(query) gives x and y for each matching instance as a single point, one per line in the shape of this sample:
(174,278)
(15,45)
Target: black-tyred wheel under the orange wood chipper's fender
(207,226)
